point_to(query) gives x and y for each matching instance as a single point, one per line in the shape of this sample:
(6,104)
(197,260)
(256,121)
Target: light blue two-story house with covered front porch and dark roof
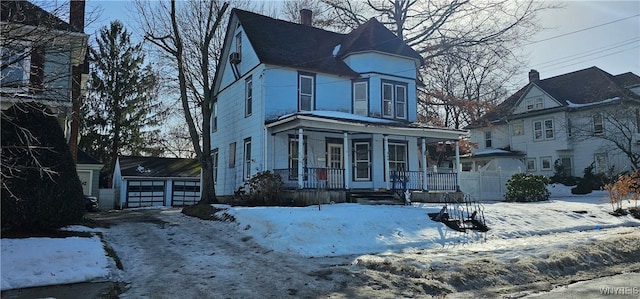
(322,109)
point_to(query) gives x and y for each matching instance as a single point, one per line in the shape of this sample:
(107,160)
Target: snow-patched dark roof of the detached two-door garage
(158,167)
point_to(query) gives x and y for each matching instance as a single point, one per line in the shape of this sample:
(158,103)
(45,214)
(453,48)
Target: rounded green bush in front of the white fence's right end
(523,187)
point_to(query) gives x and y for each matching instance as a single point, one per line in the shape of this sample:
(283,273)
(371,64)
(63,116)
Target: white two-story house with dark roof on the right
(565,119)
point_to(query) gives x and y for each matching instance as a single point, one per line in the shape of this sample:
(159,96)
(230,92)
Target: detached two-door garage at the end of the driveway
(153,181)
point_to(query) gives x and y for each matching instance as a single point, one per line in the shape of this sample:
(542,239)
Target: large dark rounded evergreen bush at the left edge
(40,189)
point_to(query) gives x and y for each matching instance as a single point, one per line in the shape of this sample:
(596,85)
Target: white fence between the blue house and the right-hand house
(485,185)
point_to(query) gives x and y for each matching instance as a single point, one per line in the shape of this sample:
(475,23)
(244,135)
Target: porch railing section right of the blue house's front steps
(412,180)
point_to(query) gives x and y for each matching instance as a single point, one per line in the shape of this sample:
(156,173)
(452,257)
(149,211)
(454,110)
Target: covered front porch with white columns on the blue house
(341,151)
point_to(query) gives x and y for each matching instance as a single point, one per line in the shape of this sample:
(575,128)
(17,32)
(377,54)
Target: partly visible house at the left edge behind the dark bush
(38,53)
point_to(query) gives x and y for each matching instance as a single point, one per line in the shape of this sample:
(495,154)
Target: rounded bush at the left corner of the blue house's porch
(263,189)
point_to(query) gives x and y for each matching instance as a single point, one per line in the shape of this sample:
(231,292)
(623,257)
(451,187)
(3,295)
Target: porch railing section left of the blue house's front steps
(313,178)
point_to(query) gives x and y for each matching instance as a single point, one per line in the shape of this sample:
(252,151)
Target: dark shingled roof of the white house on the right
(585,86)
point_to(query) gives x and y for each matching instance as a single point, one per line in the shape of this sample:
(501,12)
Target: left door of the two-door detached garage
(145,194)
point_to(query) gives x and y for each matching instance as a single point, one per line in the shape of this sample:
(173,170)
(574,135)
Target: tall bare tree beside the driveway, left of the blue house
(186,32)
